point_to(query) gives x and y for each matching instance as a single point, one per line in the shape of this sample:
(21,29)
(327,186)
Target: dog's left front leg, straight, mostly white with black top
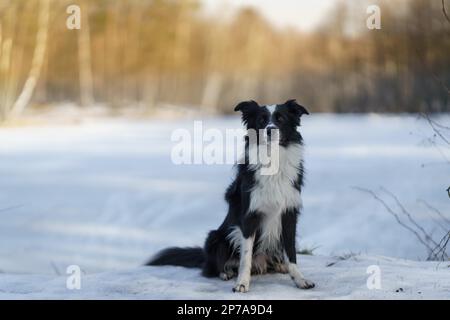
(249,225)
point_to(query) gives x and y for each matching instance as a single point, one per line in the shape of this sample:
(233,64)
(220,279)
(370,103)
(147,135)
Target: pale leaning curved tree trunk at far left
(38,59)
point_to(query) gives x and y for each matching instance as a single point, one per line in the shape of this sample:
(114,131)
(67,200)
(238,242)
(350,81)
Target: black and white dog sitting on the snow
(258,233)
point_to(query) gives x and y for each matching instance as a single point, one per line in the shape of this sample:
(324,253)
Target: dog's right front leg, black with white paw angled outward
(289,224)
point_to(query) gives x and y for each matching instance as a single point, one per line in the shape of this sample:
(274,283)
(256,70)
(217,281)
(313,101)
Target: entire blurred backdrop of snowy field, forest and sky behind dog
(86,117)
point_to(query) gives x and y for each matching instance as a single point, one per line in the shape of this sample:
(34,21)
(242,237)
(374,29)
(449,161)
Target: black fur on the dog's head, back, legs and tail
(217,255)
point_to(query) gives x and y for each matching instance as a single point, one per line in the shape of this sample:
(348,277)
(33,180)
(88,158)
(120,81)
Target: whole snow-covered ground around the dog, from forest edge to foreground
(105,195)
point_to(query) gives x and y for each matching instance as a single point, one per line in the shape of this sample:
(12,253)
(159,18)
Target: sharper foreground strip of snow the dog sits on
(346,279)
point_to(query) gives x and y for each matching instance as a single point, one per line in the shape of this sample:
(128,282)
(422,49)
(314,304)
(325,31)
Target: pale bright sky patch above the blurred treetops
(300,14)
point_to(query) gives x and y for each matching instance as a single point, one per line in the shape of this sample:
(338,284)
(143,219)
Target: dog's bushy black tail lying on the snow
(183,257)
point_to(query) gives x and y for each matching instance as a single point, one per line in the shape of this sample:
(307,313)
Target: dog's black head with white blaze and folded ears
(278,121)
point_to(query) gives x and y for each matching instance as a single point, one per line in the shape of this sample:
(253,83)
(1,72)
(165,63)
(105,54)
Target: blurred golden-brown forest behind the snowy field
(150,53)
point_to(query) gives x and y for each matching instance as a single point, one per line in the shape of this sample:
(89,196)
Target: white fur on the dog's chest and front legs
(271,196)
